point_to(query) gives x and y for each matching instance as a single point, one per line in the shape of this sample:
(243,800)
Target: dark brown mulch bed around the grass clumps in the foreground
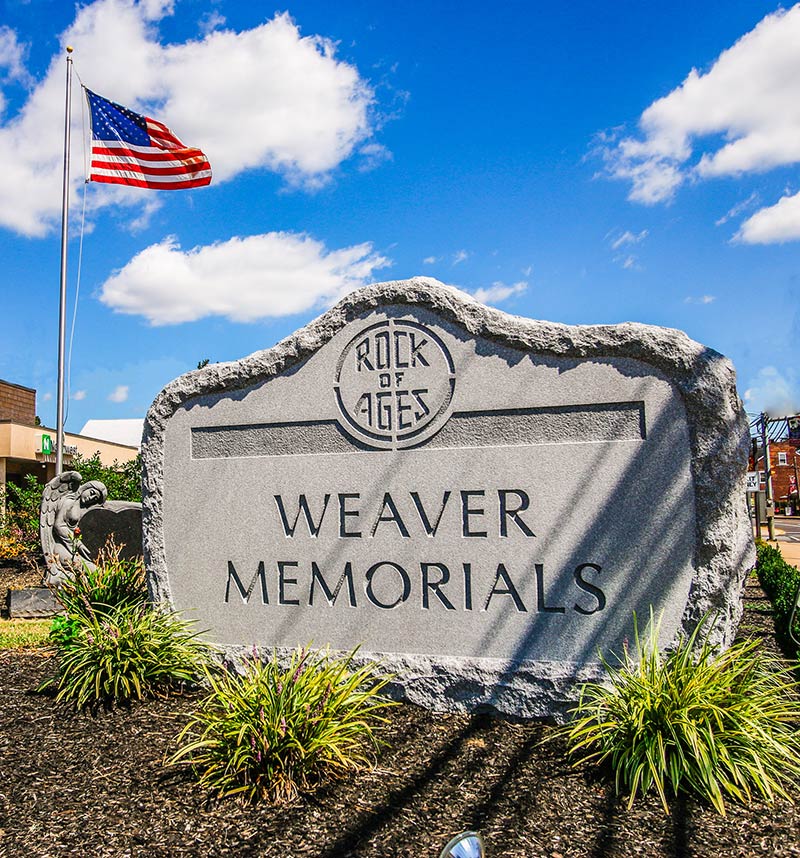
(82,784)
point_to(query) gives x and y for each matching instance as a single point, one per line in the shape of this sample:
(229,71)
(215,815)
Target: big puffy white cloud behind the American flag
(264,98)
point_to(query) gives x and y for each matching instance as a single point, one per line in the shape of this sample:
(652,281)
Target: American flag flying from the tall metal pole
(131,149)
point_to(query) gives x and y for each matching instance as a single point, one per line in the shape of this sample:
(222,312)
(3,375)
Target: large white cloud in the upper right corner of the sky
(745,112)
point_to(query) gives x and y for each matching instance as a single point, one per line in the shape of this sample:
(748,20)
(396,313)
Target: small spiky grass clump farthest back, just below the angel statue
(112,582)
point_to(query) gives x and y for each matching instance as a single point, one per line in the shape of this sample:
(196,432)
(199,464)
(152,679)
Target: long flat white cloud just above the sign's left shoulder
(243,279)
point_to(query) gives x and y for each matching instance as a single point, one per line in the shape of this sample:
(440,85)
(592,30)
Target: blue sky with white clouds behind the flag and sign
(578,162)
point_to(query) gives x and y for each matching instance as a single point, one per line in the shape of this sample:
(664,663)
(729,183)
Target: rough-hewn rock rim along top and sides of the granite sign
(719,436)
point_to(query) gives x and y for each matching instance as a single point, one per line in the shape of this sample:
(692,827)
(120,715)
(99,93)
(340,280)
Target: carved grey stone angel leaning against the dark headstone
(64,503)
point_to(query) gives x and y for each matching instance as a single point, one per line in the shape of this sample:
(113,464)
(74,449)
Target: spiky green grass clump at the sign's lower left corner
(115,654)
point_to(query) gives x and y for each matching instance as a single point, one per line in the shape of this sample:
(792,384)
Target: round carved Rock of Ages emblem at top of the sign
(394,384)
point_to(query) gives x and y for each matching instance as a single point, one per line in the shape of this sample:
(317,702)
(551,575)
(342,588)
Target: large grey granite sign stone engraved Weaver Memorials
(481,500)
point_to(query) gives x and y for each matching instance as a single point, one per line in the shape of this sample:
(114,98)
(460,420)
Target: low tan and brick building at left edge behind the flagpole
(26,448)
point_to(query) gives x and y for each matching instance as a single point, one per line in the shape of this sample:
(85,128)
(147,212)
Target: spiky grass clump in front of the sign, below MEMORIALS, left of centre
(272,731)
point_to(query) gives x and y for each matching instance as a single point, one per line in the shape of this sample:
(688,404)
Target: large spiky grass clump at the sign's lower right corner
(721,725)
